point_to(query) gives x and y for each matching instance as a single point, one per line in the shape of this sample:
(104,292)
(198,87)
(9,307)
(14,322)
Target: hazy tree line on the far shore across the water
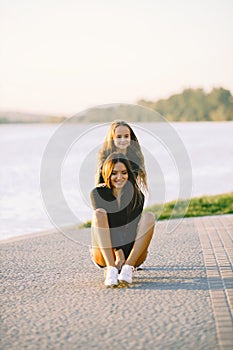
(190,105)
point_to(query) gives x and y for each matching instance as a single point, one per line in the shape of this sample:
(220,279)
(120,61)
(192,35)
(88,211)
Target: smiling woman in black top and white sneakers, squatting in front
(120,234)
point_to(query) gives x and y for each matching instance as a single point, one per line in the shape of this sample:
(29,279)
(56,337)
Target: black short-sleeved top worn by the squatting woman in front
(123,220)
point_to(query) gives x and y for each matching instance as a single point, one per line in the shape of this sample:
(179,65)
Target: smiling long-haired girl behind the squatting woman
(121,138)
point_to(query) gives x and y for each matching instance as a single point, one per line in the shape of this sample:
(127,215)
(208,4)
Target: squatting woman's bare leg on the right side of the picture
(145,232)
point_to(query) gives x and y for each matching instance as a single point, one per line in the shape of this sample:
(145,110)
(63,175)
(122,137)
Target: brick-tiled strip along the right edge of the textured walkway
(216,235)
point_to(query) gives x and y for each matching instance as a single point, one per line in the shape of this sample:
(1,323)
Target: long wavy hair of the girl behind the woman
(133,153)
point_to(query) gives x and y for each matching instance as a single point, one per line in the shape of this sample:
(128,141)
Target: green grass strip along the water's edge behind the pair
(200,206)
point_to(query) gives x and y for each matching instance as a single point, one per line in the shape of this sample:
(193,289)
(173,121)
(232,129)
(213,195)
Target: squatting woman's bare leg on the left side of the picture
(103,253)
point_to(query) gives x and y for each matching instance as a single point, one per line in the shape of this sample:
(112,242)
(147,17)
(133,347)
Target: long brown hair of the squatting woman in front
(132,191)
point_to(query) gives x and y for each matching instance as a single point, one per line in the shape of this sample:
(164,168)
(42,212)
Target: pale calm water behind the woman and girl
(205,148)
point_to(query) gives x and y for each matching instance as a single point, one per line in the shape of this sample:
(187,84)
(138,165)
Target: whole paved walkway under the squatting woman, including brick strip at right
(53,297)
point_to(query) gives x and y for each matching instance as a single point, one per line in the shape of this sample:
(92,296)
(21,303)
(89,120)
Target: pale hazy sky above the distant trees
(62,56)
